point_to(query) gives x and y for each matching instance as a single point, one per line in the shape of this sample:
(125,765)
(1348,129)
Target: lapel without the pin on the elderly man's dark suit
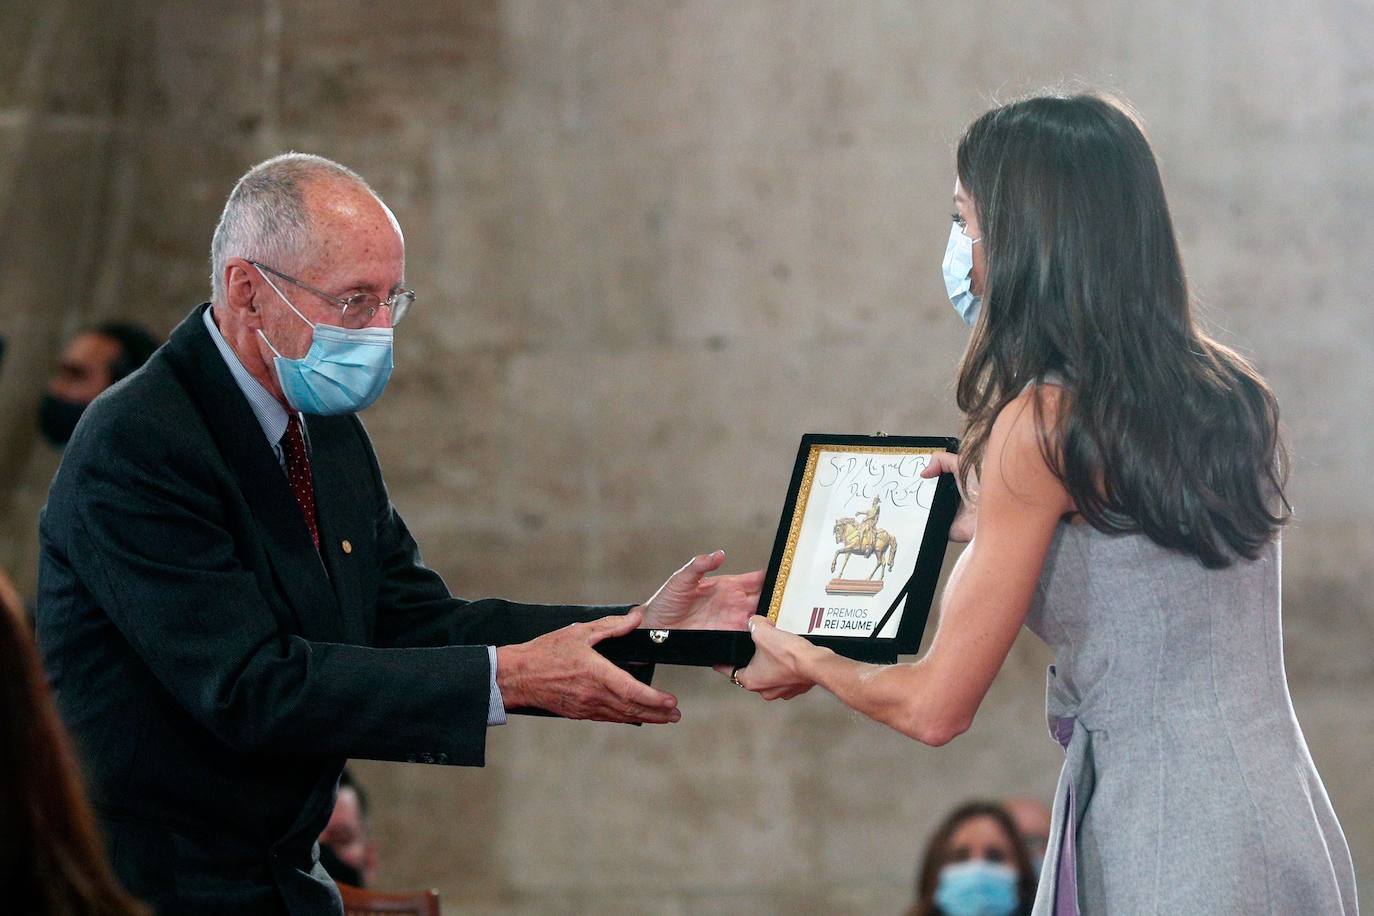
(245,448)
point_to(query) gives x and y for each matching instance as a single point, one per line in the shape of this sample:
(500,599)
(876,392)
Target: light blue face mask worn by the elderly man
(343,373)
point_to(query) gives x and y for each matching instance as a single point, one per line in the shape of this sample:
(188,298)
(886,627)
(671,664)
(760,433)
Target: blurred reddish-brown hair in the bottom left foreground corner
(52,856)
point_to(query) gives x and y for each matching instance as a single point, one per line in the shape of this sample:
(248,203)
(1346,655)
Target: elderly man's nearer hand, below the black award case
(563,674)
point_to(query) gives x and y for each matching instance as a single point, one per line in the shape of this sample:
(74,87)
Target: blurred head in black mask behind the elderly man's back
(90,363)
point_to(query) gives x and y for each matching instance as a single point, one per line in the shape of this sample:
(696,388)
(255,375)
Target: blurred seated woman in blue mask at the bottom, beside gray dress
(976,865)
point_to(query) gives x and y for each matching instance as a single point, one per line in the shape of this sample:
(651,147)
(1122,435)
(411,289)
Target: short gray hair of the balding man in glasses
(266,218)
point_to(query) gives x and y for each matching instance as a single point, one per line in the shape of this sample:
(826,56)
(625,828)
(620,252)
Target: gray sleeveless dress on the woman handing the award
(1188,786)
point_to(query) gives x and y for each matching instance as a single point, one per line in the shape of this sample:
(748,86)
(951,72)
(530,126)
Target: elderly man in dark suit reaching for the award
(230,606)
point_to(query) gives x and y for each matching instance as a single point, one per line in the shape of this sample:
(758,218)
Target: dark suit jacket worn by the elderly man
(215,671)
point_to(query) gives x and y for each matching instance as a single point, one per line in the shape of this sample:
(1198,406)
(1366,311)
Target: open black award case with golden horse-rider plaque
(855,564)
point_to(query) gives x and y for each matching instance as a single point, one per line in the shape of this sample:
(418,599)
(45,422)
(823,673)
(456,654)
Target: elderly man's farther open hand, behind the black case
(692,601)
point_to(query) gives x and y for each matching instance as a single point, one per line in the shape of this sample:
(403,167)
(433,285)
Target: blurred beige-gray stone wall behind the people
(657,242)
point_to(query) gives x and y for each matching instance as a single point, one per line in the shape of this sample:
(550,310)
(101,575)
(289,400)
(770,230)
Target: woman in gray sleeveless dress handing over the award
(1126,481)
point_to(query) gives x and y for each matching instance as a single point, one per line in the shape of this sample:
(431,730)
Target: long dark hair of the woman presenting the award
(1159,429)
